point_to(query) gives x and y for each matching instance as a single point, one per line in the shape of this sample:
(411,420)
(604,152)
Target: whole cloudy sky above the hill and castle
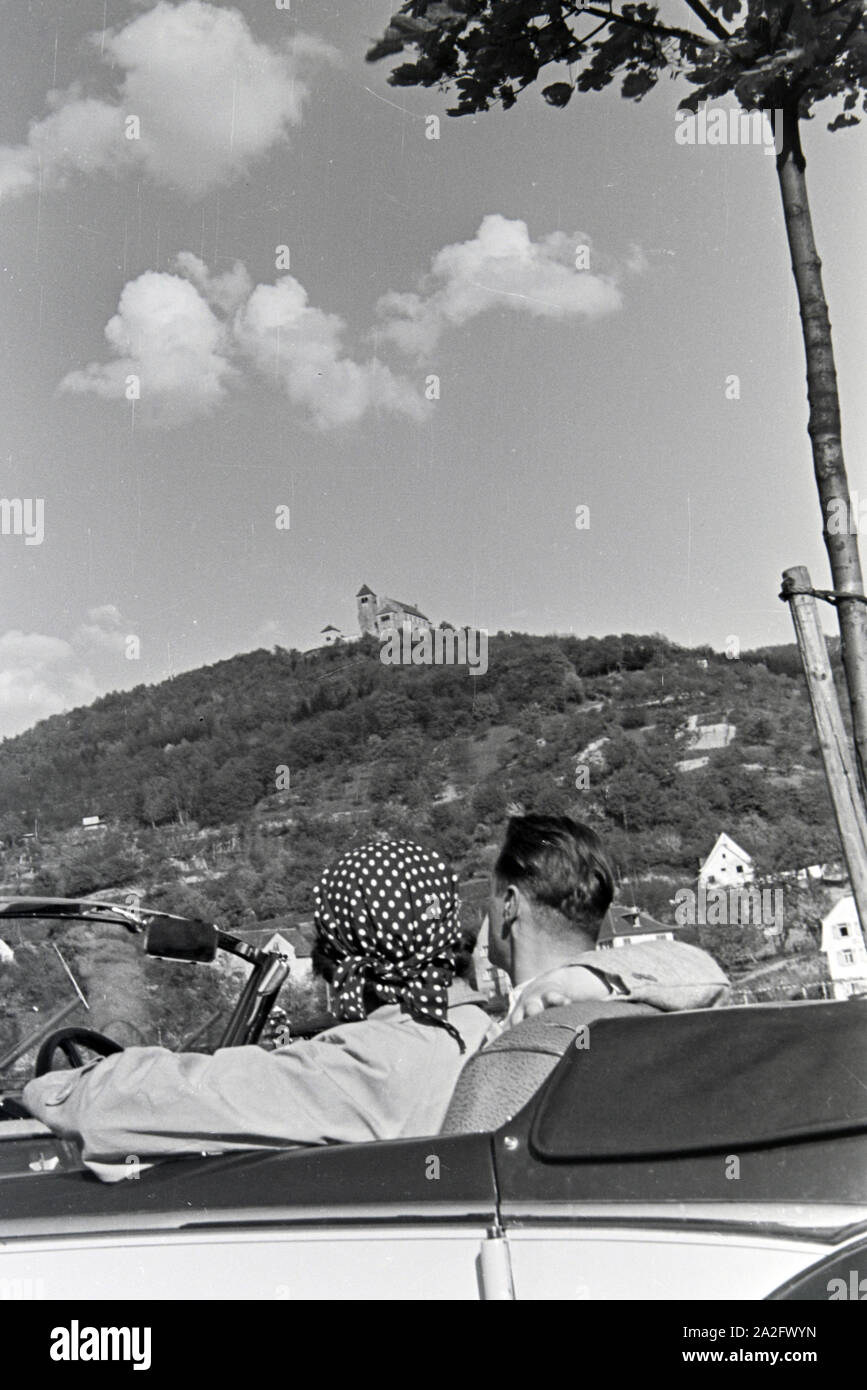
(265,341)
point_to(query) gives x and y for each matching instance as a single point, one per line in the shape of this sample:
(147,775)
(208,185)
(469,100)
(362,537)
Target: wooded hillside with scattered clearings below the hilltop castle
(276,761)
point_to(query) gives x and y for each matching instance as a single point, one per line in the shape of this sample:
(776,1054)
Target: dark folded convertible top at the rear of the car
(716,1081)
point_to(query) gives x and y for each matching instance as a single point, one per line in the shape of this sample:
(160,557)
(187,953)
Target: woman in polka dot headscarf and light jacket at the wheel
(390,940)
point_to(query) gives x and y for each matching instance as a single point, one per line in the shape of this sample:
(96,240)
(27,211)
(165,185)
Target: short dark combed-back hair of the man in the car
(561,865)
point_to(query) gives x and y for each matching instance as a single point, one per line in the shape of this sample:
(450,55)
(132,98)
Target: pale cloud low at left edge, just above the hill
(42,676)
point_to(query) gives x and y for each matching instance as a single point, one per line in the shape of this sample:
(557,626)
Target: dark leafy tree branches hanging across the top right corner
(773,55)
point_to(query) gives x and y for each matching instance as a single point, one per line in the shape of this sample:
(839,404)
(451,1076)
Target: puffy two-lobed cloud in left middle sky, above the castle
(184,338)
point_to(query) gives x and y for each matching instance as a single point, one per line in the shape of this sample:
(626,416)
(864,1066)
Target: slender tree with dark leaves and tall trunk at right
(777,56)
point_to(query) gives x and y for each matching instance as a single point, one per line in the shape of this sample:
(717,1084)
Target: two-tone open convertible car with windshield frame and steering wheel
(704,1156)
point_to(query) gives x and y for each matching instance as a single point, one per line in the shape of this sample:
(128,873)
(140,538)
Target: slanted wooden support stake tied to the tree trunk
(832,732)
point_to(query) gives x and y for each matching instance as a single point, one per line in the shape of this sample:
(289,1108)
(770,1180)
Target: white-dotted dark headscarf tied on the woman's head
(388,915)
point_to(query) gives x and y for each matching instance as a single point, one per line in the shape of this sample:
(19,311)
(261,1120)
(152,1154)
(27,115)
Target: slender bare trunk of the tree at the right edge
(825,430)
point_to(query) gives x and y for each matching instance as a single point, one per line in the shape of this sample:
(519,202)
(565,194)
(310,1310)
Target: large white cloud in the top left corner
(209,101)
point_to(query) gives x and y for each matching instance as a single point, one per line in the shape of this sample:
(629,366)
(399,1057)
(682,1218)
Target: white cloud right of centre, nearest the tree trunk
(501,268)
